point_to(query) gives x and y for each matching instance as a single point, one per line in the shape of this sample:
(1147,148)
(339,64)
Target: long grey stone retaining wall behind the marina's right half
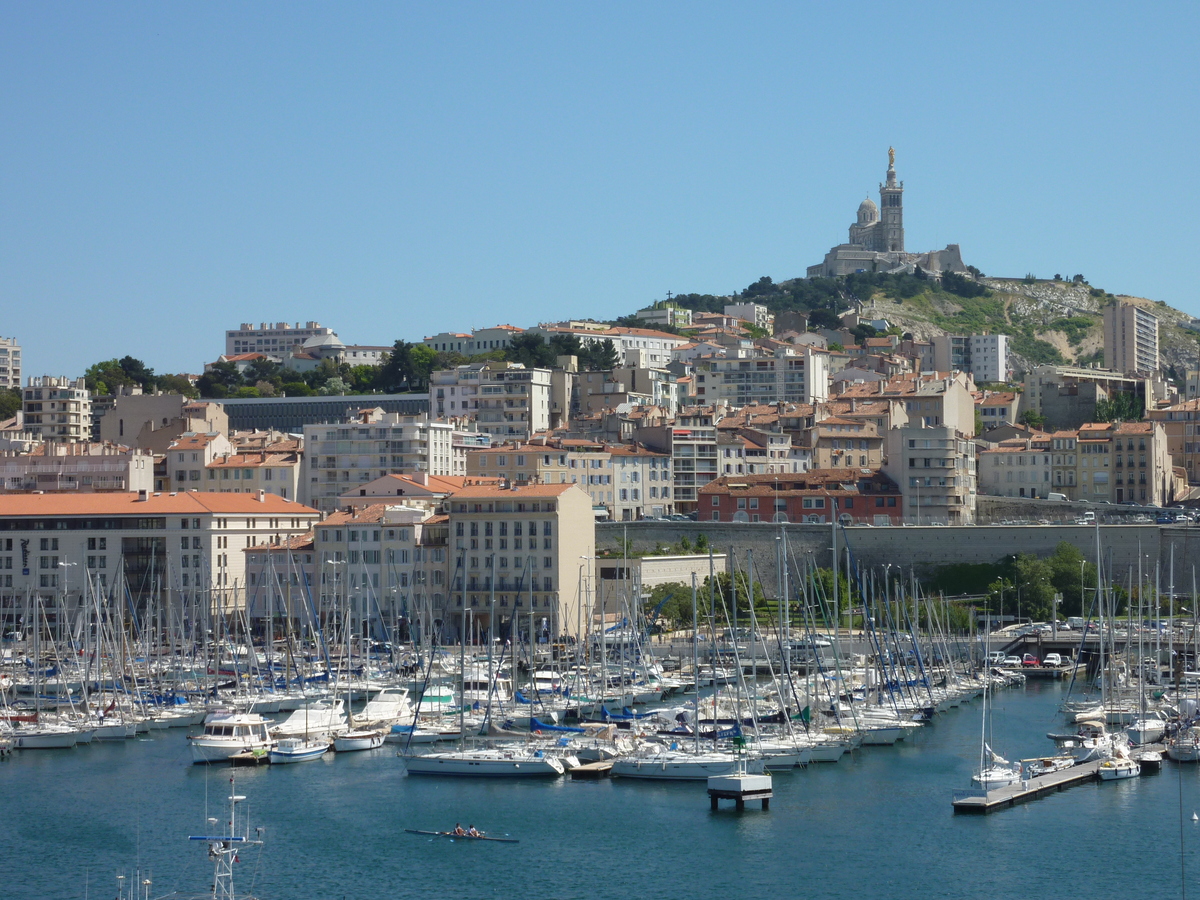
(923,548)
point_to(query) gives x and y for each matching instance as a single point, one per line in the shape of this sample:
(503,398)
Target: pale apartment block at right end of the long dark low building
(505,400)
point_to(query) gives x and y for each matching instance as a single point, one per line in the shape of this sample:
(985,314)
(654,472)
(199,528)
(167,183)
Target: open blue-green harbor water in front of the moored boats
(877,825)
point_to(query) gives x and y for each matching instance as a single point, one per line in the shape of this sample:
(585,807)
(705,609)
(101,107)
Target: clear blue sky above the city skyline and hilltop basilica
(169,171)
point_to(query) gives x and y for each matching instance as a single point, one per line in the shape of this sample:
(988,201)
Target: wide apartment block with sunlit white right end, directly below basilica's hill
(791,375)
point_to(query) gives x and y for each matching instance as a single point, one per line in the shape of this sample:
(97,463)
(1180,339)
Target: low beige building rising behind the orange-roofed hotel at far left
(81,467)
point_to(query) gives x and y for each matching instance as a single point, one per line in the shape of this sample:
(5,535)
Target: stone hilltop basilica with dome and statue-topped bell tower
(877,239)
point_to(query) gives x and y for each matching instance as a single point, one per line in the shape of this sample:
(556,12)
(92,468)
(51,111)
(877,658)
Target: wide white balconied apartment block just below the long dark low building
(341,458)
